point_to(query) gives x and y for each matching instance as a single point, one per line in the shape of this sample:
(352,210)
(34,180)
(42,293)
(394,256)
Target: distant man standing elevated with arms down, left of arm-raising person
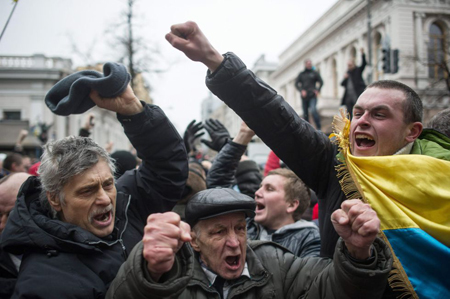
(306,83)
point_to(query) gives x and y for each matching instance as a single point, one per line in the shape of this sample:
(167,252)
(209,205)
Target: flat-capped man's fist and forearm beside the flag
(360,266)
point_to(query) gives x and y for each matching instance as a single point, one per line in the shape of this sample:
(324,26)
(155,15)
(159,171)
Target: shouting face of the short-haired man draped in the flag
(377,127)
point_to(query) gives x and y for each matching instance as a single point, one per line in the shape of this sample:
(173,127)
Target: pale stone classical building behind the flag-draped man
(418,29)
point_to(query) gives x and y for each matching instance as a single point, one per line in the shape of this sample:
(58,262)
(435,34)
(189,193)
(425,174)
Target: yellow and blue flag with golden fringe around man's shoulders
(411,195)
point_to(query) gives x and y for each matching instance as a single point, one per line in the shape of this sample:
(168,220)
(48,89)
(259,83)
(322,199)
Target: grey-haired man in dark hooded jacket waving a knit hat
(75,225)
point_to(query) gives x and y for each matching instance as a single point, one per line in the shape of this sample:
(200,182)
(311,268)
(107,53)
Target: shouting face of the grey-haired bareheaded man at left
(90,200)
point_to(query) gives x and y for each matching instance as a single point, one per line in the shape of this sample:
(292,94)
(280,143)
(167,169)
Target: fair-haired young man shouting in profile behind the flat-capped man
(281,199)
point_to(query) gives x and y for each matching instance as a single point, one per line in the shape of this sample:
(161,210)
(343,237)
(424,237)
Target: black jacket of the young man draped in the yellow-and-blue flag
(307,152)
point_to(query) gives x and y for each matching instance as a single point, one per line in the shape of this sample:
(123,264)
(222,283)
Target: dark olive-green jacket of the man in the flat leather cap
(274,273)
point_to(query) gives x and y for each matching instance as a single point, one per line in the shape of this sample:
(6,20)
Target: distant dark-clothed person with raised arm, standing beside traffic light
(353,83)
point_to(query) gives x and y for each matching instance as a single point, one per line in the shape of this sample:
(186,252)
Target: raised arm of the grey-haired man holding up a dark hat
(159,181)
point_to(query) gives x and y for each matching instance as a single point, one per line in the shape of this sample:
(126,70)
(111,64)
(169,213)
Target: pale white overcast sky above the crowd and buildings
(247,27)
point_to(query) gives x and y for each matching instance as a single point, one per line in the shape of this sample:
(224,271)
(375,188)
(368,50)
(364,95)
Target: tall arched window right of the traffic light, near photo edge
(436,52)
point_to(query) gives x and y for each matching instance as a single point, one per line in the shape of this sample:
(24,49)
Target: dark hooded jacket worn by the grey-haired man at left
(61,260)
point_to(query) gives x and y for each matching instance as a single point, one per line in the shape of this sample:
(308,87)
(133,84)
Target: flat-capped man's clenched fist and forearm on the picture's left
(153,261)
